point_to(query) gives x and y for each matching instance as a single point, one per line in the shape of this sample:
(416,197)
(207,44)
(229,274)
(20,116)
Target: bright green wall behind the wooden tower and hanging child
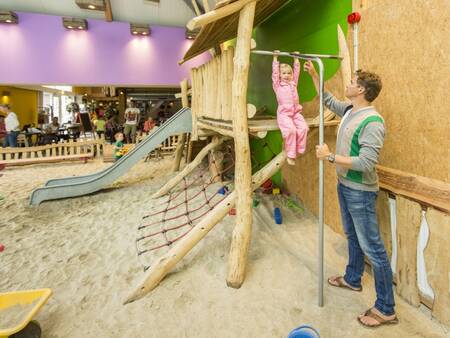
(308,26)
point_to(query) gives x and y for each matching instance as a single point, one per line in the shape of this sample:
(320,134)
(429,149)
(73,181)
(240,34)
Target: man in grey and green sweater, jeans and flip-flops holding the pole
(359,141)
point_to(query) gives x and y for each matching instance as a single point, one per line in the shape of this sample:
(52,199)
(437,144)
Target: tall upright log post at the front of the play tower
(244,216)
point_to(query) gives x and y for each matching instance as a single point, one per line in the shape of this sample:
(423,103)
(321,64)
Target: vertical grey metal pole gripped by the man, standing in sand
(321,184)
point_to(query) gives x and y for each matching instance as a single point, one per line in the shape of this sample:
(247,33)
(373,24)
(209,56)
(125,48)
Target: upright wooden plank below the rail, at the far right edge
(438,263)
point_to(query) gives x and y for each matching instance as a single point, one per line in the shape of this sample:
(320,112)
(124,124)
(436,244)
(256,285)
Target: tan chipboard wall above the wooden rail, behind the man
(407,43)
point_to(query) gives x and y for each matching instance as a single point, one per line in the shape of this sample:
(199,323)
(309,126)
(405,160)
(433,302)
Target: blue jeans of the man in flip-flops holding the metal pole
(363,234)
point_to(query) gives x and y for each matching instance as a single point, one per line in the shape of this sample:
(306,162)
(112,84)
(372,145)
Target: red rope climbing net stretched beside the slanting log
(176,214)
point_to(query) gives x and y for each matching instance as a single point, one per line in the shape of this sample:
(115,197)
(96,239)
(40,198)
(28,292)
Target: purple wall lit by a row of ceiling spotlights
(39,50)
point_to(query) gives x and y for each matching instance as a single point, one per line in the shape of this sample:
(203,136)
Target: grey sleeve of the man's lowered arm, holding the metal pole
(371,141)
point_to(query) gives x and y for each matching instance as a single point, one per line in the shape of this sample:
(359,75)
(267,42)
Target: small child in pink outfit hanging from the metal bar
(293,126)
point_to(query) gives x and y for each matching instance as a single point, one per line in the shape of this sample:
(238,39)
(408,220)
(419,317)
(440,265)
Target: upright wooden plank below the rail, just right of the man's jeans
(409,217)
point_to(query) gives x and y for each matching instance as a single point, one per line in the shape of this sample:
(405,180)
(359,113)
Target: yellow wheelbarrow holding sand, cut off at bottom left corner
(17,310)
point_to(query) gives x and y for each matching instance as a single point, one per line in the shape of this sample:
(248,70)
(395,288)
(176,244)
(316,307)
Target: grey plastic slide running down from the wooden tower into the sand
(73,186)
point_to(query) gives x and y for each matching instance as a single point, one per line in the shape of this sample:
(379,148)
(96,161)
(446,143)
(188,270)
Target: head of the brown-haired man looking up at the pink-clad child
(366,85)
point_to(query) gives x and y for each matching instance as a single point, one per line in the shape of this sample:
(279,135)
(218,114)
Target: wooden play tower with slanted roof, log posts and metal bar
(220,108)
